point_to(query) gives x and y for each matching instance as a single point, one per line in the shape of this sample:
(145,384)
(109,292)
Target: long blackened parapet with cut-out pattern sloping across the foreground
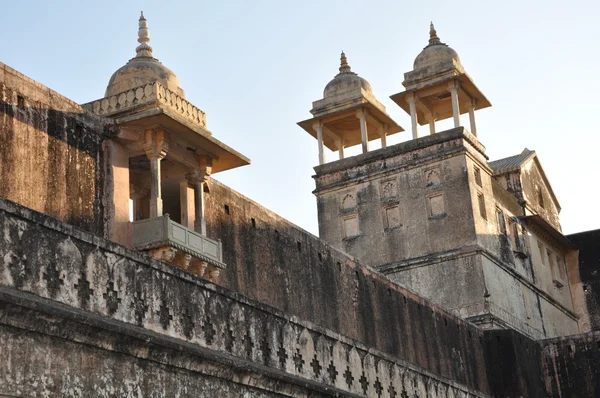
(59,263)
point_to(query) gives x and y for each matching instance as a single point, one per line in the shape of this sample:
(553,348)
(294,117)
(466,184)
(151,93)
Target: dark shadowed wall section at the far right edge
(589,271)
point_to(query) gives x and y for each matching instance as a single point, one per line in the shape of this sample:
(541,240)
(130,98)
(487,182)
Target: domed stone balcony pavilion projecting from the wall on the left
(161,159)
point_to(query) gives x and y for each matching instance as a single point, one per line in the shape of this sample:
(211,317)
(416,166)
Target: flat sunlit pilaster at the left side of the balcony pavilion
(118,226)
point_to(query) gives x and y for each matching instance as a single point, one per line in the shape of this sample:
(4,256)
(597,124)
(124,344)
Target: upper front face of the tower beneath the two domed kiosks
(398,203)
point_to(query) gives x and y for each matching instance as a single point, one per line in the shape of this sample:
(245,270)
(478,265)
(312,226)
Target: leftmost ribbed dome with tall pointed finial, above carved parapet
(143,69)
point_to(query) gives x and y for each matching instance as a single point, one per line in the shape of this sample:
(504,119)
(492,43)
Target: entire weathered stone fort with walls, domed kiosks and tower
(127,270)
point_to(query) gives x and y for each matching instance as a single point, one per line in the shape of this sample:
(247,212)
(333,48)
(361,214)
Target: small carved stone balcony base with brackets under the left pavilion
(170,242)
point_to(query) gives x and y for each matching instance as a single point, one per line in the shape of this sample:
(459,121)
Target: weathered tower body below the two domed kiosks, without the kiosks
(428,214)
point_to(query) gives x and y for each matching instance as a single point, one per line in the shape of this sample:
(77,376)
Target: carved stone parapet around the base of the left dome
(153,92)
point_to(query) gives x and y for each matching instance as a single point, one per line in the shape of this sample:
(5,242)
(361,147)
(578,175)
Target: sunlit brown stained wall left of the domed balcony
(51,157)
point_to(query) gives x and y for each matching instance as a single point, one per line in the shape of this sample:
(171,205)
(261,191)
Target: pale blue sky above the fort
(256,66)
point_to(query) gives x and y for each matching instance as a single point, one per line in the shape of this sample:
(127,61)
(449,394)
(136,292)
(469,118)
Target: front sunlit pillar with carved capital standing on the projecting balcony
(156,148)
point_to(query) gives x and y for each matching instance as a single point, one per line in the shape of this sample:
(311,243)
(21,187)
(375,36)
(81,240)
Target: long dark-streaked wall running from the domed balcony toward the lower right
(273,261)
